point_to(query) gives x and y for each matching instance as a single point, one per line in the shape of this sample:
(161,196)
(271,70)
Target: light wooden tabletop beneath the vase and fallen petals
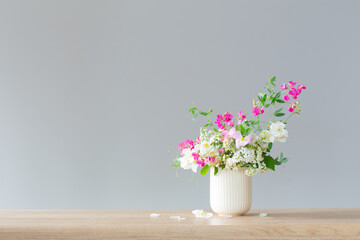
(137,224)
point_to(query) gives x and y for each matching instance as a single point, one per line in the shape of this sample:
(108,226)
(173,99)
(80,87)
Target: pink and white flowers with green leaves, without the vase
(238,142)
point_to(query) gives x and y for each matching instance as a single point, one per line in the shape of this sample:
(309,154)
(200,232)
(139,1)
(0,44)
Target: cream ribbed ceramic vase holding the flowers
(230,192)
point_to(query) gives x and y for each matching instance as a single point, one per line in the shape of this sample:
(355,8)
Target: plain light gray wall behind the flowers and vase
(93,93)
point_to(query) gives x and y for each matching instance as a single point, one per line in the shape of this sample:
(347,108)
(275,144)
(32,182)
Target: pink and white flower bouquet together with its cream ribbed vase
(236,147)
